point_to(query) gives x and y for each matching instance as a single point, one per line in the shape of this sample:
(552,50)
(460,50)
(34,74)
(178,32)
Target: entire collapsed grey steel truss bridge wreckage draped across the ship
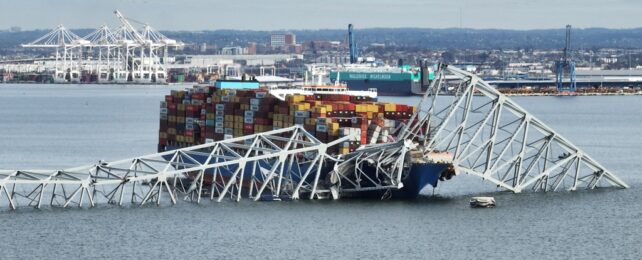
(488,135)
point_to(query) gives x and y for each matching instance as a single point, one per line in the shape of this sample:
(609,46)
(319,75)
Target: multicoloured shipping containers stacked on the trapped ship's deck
(205,114)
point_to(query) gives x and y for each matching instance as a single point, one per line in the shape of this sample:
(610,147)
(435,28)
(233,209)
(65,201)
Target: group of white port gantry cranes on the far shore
(127,54)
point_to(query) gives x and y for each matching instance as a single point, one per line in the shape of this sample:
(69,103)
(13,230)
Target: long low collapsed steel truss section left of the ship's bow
(285,163)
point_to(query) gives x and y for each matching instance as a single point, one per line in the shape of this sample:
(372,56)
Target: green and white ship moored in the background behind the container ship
(388,81)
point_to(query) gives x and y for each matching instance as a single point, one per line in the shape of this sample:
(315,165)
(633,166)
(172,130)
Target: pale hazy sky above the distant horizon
(315,14)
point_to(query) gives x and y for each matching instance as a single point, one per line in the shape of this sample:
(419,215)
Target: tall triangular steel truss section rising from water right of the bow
(495,139)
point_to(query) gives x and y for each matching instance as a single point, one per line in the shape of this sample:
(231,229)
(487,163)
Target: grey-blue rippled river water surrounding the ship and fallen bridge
(45,127)
